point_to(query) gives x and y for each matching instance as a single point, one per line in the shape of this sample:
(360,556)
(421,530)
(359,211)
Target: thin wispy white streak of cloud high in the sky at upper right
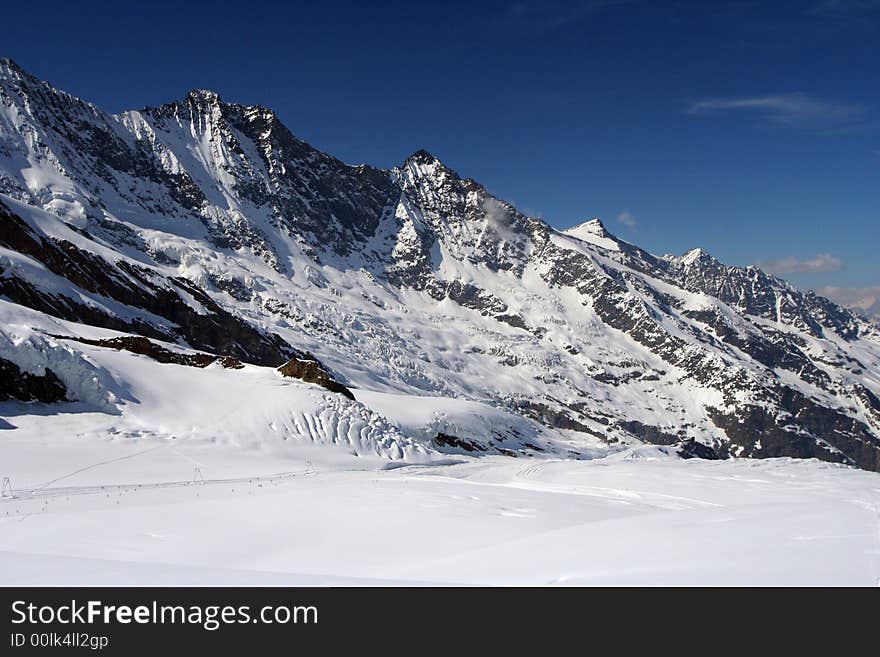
(789,109)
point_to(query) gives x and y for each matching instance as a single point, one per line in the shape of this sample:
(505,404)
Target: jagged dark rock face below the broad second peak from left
(263,170)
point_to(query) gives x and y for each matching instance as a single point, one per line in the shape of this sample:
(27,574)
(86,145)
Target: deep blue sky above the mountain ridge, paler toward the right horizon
(751,129)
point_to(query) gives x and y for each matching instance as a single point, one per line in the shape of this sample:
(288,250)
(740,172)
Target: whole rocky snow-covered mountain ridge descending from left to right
(206,225)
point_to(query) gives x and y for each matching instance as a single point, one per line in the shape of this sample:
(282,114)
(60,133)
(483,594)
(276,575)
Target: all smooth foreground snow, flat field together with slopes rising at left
(239,476)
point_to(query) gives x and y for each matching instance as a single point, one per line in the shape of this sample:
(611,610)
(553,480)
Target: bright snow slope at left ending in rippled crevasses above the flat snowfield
(125,394)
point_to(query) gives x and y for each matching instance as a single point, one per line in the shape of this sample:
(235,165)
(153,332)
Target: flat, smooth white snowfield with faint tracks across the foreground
(639,517)
